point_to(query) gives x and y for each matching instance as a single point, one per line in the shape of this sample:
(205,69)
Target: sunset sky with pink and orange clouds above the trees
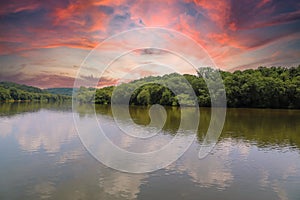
(44,43)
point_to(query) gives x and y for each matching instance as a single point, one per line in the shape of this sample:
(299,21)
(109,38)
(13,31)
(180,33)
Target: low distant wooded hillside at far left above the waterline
(16,92)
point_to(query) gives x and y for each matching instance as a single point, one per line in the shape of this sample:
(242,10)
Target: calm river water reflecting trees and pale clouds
(41,156)
